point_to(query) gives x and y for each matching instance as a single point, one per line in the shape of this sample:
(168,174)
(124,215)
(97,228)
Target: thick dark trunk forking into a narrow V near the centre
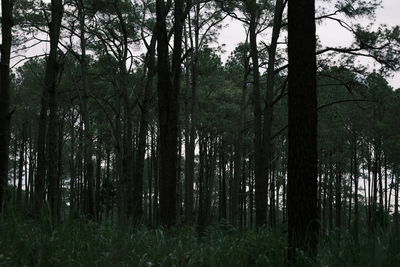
(168,91)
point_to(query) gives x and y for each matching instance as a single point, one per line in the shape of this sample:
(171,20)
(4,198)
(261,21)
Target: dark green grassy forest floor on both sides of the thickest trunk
(25,242)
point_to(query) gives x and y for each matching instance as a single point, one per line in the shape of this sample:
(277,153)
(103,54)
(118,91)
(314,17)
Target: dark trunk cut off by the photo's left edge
(5,116)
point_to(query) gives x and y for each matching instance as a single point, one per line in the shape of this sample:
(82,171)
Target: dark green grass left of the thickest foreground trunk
(74,243)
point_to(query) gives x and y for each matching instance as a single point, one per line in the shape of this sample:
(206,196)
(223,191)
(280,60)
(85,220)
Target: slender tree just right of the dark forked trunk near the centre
(199,30)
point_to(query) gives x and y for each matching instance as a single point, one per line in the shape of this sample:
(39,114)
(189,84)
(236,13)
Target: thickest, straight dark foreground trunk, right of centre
(302,158)
